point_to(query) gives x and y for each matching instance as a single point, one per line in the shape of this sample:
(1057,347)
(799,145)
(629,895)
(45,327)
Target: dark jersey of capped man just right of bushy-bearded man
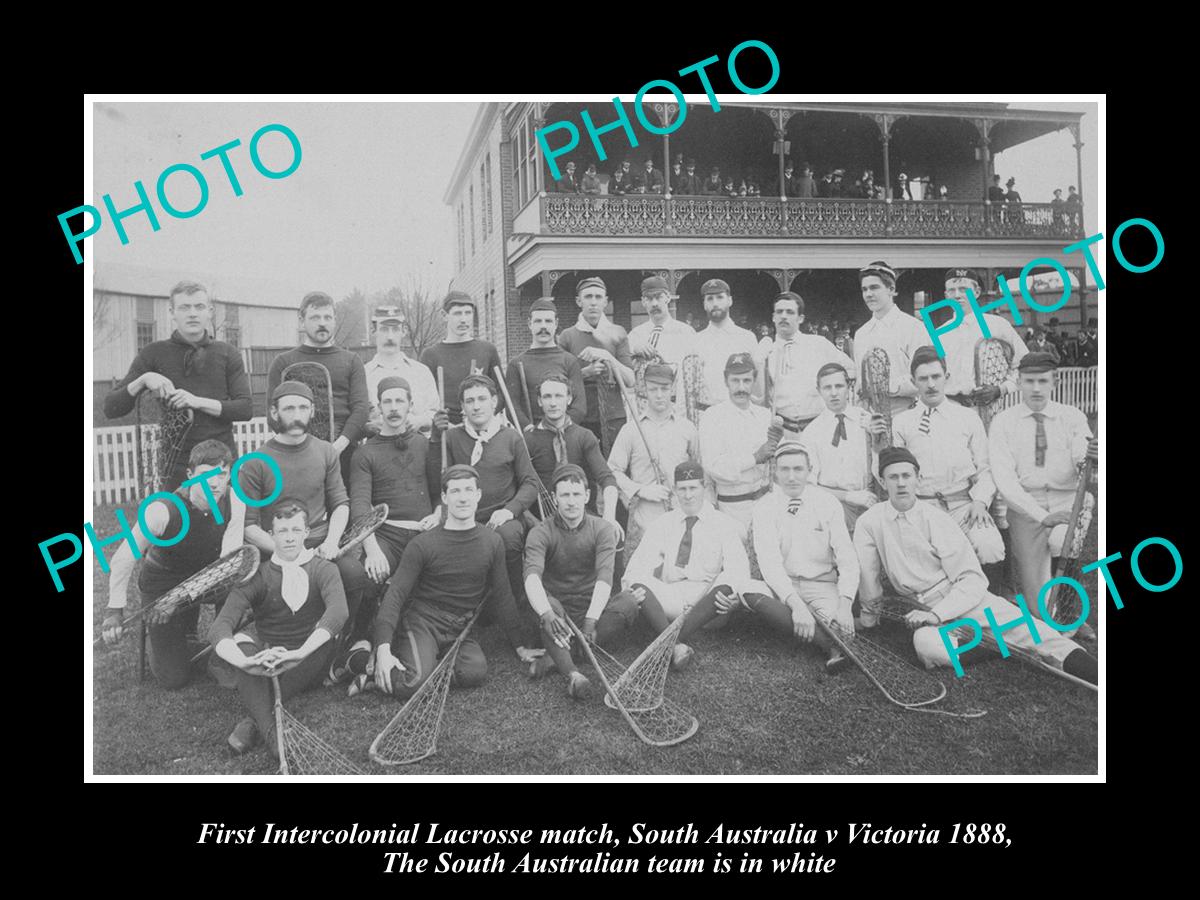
(407,481)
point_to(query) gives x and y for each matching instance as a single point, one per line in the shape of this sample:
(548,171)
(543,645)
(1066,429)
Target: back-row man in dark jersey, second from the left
(347,375)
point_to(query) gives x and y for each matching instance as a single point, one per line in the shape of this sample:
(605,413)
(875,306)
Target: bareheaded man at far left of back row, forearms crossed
(189,371)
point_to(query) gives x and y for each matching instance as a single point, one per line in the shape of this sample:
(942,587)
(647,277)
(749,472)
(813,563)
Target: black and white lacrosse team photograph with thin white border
(753,436)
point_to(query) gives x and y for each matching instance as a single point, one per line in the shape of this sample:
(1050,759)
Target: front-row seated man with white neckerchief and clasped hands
(299,608)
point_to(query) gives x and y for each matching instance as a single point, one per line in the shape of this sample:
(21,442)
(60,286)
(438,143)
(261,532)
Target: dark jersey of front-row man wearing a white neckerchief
(275,622)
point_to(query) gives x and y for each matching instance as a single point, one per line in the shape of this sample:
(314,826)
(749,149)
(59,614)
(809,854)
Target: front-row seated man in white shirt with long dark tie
(687,556)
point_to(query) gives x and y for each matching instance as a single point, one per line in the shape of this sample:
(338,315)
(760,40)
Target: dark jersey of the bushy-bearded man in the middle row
(313,476)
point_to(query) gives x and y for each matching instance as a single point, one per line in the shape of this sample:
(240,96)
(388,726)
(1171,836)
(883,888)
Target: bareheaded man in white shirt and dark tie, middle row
(839,445)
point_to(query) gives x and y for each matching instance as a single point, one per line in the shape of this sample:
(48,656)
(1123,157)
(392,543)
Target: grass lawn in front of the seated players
(765,707)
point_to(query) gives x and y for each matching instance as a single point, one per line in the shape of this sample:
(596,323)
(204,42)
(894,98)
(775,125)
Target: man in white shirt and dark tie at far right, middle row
(1036,451)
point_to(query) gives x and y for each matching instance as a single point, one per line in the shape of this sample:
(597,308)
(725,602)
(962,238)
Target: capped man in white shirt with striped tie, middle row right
(952,448)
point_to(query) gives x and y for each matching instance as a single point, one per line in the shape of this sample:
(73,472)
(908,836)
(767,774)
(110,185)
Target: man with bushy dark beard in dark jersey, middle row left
(309,470)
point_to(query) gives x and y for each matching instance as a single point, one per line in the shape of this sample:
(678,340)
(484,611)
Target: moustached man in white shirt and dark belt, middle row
(737,440)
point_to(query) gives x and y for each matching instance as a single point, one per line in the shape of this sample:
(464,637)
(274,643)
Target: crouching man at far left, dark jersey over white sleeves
(214,529)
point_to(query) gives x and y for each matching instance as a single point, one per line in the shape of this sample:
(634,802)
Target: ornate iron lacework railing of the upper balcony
(645,215)
